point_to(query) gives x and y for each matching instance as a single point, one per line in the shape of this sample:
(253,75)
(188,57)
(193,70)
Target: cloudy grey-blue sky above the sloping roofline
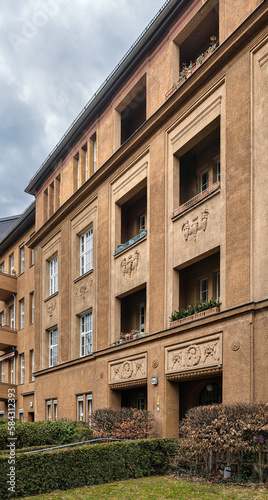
(54,54)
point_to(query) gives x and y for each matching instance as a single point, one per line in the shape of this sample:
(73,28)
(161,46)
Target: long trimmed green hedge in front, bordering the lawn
(86,465)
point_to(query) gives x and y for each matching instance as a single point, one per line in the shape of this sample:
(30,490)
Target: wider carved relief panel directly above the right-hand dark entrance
(201,353)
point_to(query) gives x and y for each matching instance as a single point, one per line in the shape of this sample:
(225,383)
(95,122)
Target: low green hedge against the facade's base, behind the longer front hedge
(45,434)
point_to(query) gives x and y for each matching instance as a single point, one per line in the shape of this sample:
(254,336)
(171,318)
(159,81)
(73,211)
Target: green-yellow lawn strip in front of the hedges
(158,488)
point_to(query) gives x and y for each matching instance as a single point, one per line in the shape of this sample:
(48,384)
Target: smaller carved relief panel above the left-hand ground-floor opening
(128,369)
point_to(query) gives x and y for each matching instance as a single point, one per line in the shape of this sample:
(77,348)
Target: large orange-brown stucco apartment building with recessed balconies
(154,199)
